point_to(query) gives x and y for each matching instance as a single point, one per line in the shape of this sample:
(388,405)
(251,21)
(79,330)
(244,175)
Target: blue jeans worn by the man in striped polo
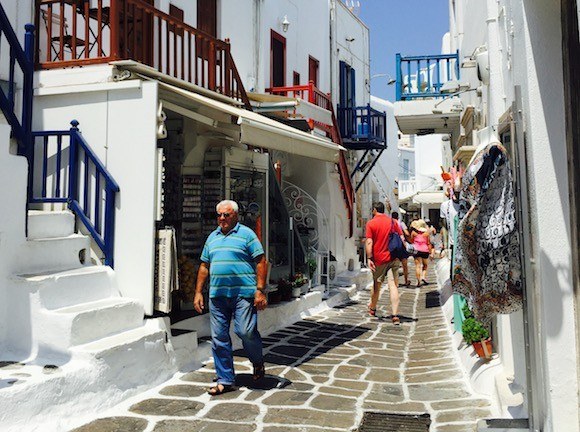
(221,311)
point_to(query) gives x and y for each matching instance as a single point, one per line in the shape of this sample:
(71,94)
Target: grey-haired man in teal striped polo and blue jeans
(234,260)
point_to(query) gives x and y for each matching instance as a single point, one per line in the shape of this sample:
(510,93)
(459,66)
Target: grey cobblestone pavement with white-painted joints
(323,372)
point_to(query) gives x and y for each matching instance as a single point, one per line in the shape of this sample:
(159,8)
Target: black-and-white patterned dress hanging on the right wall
(487,268)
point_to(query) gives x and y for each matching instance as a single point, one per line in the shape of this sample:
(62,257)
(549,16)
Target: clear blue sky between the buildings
(409,27)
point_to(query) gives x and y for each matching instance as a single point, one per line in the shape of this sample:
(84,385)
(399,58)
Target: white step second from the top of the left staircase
(59,253)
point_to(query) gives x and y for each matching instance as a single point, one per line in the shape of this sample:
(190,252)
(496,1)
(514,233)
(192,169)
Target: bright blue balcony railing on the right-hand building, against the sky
(421,77)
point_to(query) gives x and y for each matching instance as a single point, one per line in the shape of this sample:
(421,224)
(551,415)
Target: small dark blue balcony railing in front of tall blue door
(362,127)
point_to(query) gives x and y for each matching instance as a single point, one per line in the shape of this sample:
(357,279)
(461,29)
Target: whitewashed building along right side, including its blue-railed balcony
(511,79)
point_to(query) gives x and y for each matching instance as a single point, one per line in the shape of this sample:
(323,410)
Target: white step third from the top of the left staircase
(58,289)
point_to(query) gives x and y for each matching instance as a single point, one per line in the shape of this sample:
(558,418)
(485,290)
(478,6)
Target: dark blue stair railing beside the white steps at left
(66,170)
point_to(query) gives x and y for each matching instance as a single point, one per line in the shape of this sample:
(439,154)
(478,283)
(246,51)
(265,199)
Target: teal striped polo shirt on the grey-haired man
(231,259)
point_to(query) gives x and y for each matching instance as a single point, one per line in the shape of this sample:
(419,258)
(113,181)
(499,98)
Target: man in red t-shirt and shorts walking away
(379,258)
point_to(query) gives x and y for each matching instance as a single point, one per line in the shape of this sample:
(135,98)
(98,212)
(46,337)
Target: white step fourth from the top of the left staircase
(91,321)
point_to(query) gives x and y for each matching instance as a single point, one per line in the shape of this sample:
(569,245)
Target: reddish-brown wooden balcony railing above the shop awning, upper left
(85,32)
